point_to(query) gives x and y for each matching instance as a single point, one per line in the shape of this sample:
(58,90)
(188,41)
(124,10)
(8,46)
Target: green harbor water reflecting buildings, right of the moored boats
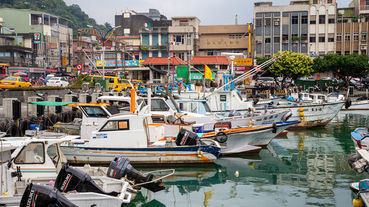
(307,169)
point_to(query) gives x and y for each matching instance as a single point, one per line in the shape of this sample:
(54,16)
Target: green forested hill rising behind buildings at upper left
(73,13)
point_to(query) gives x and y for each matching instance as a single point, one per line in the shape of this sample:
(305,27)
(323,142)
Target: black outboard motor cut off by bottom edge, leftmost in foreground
(43,195)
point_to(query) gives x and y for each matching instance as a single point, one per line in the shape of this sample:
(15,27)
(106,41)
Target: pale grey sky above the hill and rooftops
(210,12)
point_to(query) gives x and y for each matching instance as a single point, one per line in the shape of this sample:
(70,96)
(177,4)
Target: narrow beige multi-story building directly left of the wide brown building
(183,35)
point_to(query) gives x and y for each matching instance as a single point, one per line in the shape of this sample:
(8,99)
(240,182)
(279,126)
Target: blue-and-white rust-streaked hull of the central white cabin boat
(143,156)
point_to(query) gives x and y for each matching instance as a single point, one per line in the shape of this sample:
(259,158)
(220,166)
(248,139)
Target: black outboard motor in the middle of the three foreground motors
(70,178)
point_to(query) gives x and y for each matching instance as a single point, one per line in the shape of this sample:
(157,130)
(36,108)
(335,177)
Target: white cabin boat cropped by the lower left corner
(36,160)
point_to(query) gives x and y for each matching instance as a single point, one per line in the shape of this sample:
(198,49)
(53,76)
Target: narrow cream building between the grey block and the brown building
(322,27)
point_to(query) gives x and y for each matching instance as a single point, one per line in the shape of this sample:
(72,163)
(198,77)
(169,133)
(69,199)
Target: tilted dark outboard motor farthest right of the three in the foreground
(121,167)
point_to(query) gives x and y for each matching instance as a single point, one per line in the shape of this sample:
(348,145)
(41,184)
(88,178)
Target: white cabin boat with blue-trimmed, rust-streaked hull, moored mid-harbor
(129,136)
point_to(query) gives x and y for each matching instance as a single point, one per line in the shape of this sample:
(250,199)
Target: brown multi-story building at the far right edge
(351,32)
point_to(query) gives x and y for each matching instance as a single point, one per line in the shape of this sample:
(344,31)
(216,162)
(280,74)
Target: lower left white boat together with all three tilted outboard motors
(39,160)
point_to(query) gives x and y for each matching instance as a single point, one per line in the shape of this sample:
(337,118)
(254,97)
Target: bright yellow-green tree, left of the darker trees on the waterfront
(291,65)
